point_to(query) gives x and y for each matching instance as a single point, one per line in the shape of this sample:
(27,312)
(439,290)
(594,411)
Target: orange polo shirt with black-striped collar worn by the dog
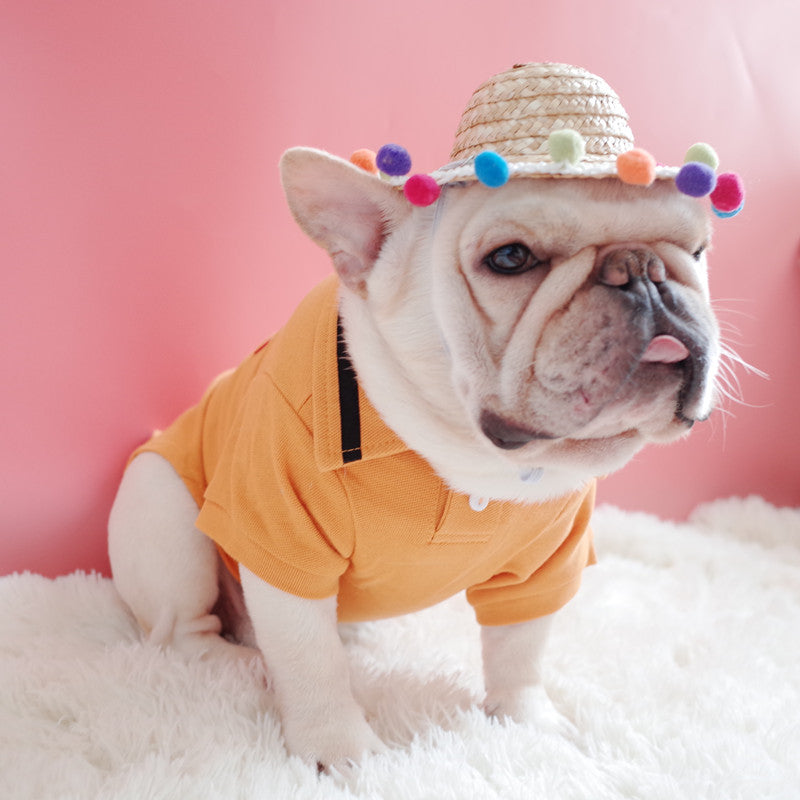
(262,455)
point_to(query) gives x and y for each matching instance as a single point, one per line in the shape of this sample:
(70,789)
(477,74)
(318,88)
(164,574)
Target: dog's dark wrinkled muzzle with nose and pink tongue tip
(663,329)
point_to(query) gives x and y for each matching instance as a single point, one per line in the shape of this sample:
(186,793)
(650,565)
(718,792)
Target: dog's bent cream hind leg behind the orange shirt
(164,568)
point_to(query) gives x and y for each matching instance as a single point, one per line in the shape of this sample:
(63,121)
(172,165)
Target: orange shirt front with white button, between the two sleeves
(416,543)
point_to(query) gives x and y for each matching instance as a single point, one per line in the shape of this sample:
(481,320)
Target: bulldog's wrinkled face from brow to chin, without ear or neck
(576,314)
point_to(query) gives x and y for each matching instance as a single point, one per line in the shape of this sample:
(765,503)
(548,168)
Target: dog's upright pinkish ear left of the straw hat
(344,209)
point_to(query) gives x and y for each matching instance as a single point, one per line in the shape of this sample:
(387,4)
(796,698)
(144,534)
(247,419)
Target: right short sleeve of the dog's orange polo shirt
(528,587)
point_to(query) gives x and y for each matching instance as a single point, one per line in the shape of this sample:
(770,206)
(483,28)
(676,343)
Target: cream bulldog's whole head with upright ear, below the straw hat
(555,324)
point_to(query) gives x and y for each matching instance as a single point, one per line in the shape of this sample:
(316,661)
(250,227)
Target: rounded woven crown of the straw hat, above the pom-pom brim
(514,113)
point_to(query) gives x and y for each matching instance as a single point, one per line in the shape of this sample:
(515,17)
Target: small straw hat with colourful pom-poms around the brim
(552,121)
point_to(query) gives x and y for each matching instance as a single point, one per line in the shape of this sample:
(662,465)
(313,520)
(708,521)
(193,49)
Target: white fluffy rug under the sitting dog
(678,664)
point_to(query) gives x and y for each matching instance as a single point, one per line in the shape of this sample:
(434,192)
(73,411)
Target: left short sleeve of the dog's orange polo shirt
(269,507)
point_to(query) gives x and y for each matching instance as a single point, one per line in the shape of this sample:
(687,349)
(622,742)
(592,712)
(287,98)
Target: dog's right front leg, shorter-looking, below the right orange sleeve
(512,656)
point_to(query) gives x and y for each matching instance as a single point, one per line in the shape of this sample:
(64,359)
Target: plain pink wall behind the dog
(145,245)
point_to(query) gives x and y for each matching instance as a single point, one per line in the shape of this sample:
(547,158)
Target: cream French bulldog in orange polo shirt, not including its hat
(431,420)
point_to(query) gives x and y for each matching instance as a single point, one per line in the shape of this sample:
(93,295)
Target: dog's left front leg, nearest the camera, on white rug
(308,669)
